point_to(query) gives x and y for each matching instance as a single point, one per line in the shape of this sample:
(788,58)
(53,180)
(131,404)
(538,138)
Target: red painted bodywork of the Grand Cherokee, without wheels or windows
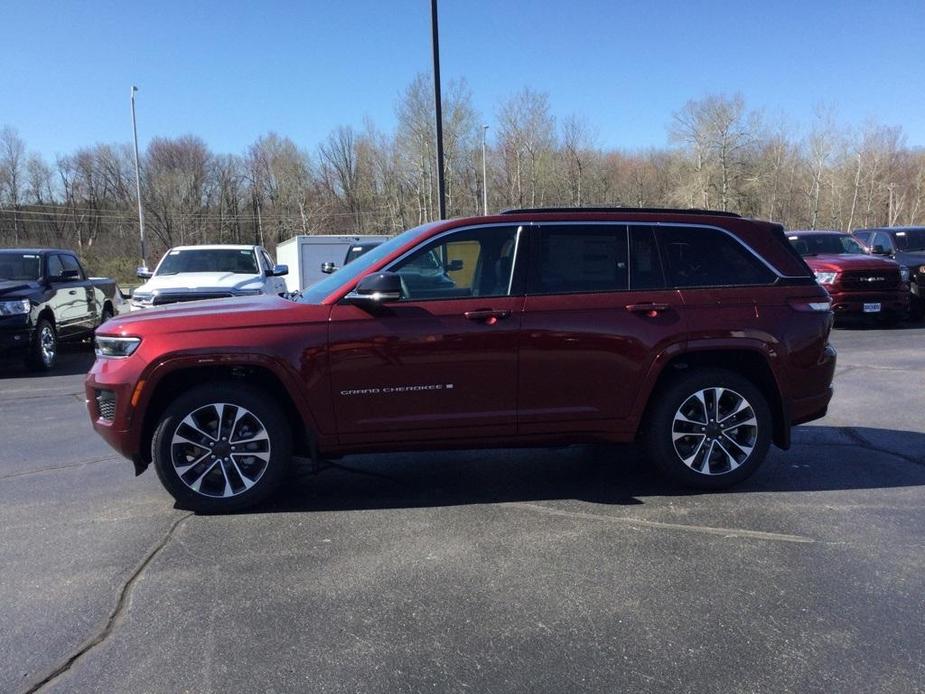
(421,374)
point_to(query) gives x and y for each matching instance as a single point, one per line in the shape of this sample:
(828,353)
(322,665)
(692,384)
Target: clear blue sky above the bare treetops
(232,71)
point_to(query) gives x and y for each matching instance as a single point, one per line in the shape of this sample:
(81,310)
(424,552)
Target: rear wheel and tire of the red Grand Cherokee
(728,462)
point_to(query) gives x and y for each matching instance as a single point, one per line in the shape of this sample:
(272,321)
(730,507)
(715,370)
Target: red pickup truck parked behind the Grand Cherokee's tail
(860,285)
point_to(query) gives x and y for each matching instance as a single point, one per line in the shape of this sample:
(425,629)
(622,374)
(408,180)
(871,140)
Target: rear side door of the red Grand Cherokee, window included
(596,313)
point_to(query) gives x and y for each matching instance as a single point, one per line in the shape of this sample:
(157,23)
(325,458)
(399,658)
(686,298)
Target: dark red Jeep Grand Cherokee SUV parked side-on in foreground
(701,334)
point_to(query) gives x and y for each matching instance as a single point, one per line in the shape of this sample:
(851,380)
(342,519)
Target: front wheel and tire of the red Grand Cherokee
(221,469)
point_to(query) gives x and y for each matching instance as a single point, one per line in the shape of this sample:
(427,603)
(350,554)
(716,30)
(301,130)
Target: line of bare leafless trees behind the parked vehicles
(360,180)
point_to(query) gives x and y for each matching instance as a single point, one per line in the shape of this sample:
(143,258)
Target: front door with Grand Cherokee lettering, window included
(442,362)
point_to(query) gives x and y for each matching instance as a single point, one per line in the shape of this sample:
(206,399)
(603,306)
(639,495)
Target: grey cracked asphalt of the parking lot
(573,569)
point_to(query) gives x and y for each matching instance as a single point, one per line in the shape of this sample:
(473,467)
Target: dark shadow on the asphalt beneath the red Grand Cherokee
(827,459)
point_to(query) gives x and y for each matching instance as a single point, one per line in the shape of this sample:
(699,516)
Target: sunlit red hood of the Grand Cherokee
(218,314)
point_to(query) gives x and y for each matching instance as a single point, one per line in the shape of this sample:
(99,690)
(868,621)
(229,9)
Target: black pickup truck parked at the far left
(46,297)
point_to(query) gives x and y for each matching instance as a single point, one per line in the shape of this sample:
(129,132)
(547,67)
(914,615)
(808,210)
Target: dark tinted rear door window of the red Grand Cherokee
(579,258)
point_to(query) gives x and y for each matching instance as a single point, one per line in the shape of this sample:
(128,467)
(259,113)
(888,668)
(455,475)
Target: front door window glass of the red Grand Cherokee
(475,262)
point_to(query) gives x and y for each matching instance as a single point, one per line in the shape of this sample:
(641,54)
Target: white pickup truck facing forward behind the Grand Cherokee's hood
(193,273)
